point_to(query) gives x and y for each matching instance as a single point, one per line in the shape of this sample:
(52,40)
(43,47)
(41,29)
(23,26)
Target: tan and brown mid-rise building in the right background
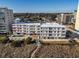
(66,18)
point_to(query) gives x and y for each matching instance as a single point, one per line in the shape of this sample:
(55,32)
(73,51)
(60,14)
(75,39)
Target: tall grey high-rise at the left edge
(6,18)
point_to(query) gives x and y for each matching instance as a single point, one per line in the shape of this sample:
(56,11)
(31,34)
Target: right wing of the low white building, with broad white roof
(52,31)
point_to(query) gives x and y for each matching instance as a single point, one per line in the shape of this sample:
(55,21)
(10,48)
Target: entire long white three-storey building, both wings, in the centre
(44,30)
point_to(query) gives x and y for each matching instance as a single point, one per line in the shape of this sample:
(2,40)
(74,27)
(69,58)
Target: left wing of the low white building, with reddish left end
(26,28)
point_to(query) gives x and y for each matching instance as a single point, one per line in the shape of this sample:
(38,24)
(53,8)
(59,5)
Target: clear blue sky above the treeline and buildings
(39,6)
